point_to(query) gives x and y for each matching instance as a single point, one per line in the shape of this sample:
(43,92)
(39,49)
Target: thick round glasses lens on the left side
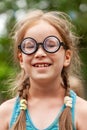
(28,46)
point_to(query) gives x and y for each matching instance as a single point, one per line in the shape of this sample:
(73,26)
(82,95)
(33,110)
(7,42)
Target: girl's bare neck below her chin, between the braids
(46,89)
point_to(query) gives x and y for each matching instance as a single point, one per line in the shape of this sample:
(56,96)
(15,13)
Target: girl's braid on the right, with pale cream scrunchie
(65,121)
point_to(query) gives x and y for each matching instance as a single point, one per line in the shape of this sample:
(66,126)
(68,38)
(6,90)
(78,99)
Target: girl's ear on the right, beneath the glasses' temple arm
(68,56)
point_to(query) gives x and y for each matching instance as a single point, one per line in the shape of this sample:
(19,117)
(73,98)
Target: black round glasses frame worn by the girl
(41,44)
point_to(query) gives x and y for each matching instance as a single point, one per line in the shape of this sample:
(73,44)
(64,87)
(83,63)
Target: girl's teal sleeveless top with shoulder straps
(54,125)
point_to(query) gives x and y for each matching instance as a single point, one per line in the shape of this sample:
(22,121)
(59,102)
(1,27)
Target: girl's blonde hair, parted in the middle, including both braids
(62,23)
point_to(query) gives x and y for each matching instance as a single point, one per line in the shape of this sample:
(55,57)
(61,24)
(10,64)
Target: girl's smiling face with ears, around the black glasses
(43,65)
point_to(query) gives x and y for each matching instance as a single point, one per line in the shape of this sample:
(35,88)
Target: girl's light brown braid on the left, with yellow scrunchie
(20,123)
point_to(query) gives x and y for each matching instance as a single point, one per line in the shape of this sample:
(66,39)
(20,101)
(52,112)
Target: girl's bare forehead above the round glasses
(41,30)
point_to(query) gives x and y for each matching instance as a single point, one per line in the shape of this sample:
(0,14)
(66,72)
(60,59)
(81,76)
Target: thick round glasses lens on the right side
(51,44)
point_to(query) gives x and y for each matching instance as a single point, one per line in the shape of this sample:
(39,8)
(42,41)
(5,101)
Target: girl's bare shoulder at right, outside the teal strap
(81,113)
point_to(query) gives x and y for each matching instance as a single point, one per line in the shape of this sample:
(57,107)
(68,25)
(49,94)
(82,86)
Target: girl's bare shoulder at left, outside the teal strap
(6,109)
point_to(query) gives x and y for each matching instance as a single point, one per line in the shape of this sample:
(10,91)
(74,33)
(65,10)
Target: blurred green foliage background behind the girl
(12,10)
